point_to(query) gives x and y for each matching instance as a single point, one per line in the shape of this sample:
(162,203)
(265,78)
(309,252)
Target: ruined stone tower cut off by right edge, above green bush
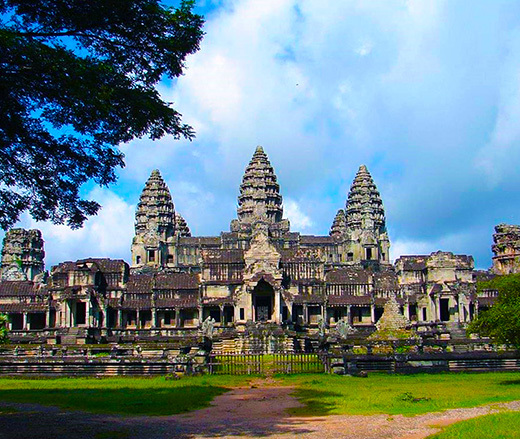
(506,249)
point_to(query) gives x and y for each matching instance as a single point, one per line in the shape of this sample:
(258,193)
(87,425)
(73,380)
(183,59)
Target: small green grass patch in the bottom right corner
(498,426)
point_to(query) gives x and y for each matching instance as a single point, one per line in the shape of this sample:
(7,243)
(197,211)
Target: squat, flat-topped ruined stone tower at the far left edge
(22,255)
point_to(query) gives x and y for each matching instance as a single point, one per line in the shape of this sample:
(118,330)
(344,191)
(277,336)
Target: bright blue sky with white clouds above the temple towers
(425,93)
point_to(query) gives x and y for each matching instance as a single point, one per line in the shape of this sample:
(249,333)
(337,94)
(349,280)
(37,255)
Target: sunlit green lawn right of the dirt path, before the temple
(400,394)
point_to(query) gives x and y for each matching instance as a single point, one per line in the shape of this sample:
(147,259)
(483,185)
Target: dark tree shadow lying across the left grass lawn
(121,401)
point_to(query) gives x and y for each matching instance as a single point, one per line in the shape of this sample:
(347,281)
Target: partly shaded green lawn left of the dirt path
(125,396)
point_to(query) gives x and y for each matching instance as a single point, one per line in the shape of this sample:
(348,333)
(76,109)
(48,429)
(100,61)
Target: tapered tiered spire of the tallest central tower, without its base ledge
(259,191)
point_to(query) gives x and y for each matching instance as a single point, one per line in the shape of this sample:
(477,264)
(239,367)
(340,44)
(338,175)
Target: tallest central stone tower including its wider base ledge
(260,198)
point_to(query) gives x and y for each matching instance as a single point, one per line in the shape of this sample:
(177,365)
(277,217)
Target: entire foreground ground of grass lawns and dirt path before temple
(306,406)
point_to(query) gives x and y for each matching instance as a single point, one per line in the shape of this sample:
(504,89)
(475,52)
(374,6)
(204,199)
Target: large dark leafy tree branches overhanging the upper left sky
(77,79)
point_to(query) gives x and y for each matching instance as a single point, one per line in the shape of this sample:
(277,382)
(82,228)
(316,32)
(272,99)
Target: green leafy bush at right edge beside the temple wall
(502,321)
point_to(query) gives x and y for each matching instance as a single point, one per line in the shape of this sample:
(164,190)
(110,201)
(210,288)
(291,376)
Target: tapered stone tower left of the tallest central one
(154,239)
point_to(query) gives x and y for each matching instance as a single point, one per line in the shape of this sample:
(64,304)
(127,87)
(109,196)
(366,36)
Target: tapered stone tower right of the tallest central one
(365,220)
